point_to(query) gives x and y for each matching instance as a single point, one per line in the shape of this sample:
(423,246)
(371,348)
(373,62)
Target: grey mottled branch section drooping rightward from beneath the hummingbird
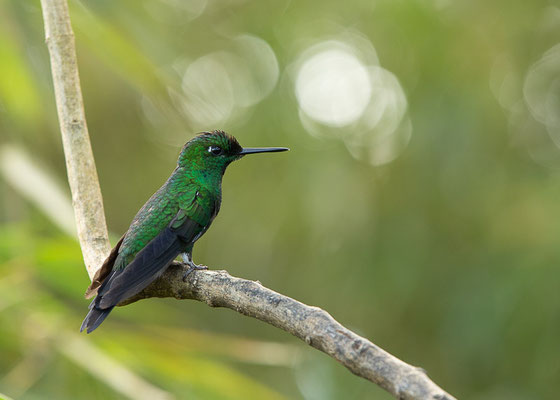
(313,325)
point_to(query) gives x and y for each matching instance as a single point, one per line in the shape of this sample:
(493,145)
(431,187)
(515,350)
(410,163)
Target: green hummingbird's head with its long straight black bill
(215,151)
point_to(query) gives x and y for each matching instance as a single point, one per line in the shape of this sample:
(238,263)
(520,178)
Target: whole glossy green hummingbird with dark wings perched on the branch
(168,225)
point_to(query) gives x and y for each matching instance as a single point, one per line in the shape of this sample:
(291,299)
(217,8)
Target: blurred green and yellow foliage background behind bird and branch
(419,204)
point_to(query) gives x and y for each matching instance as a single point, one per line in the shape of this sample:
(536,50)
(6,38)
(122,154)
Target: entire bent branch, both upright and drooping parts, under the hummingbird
(215,288)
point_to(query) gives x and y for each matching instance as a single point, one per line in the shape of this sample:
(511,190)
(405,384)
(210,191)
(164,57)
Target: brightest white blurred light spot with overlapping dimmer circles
(344,93)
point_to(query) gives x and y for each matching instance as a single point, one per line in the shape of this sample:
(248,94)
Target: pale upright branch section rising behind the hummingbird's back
(80,164)
